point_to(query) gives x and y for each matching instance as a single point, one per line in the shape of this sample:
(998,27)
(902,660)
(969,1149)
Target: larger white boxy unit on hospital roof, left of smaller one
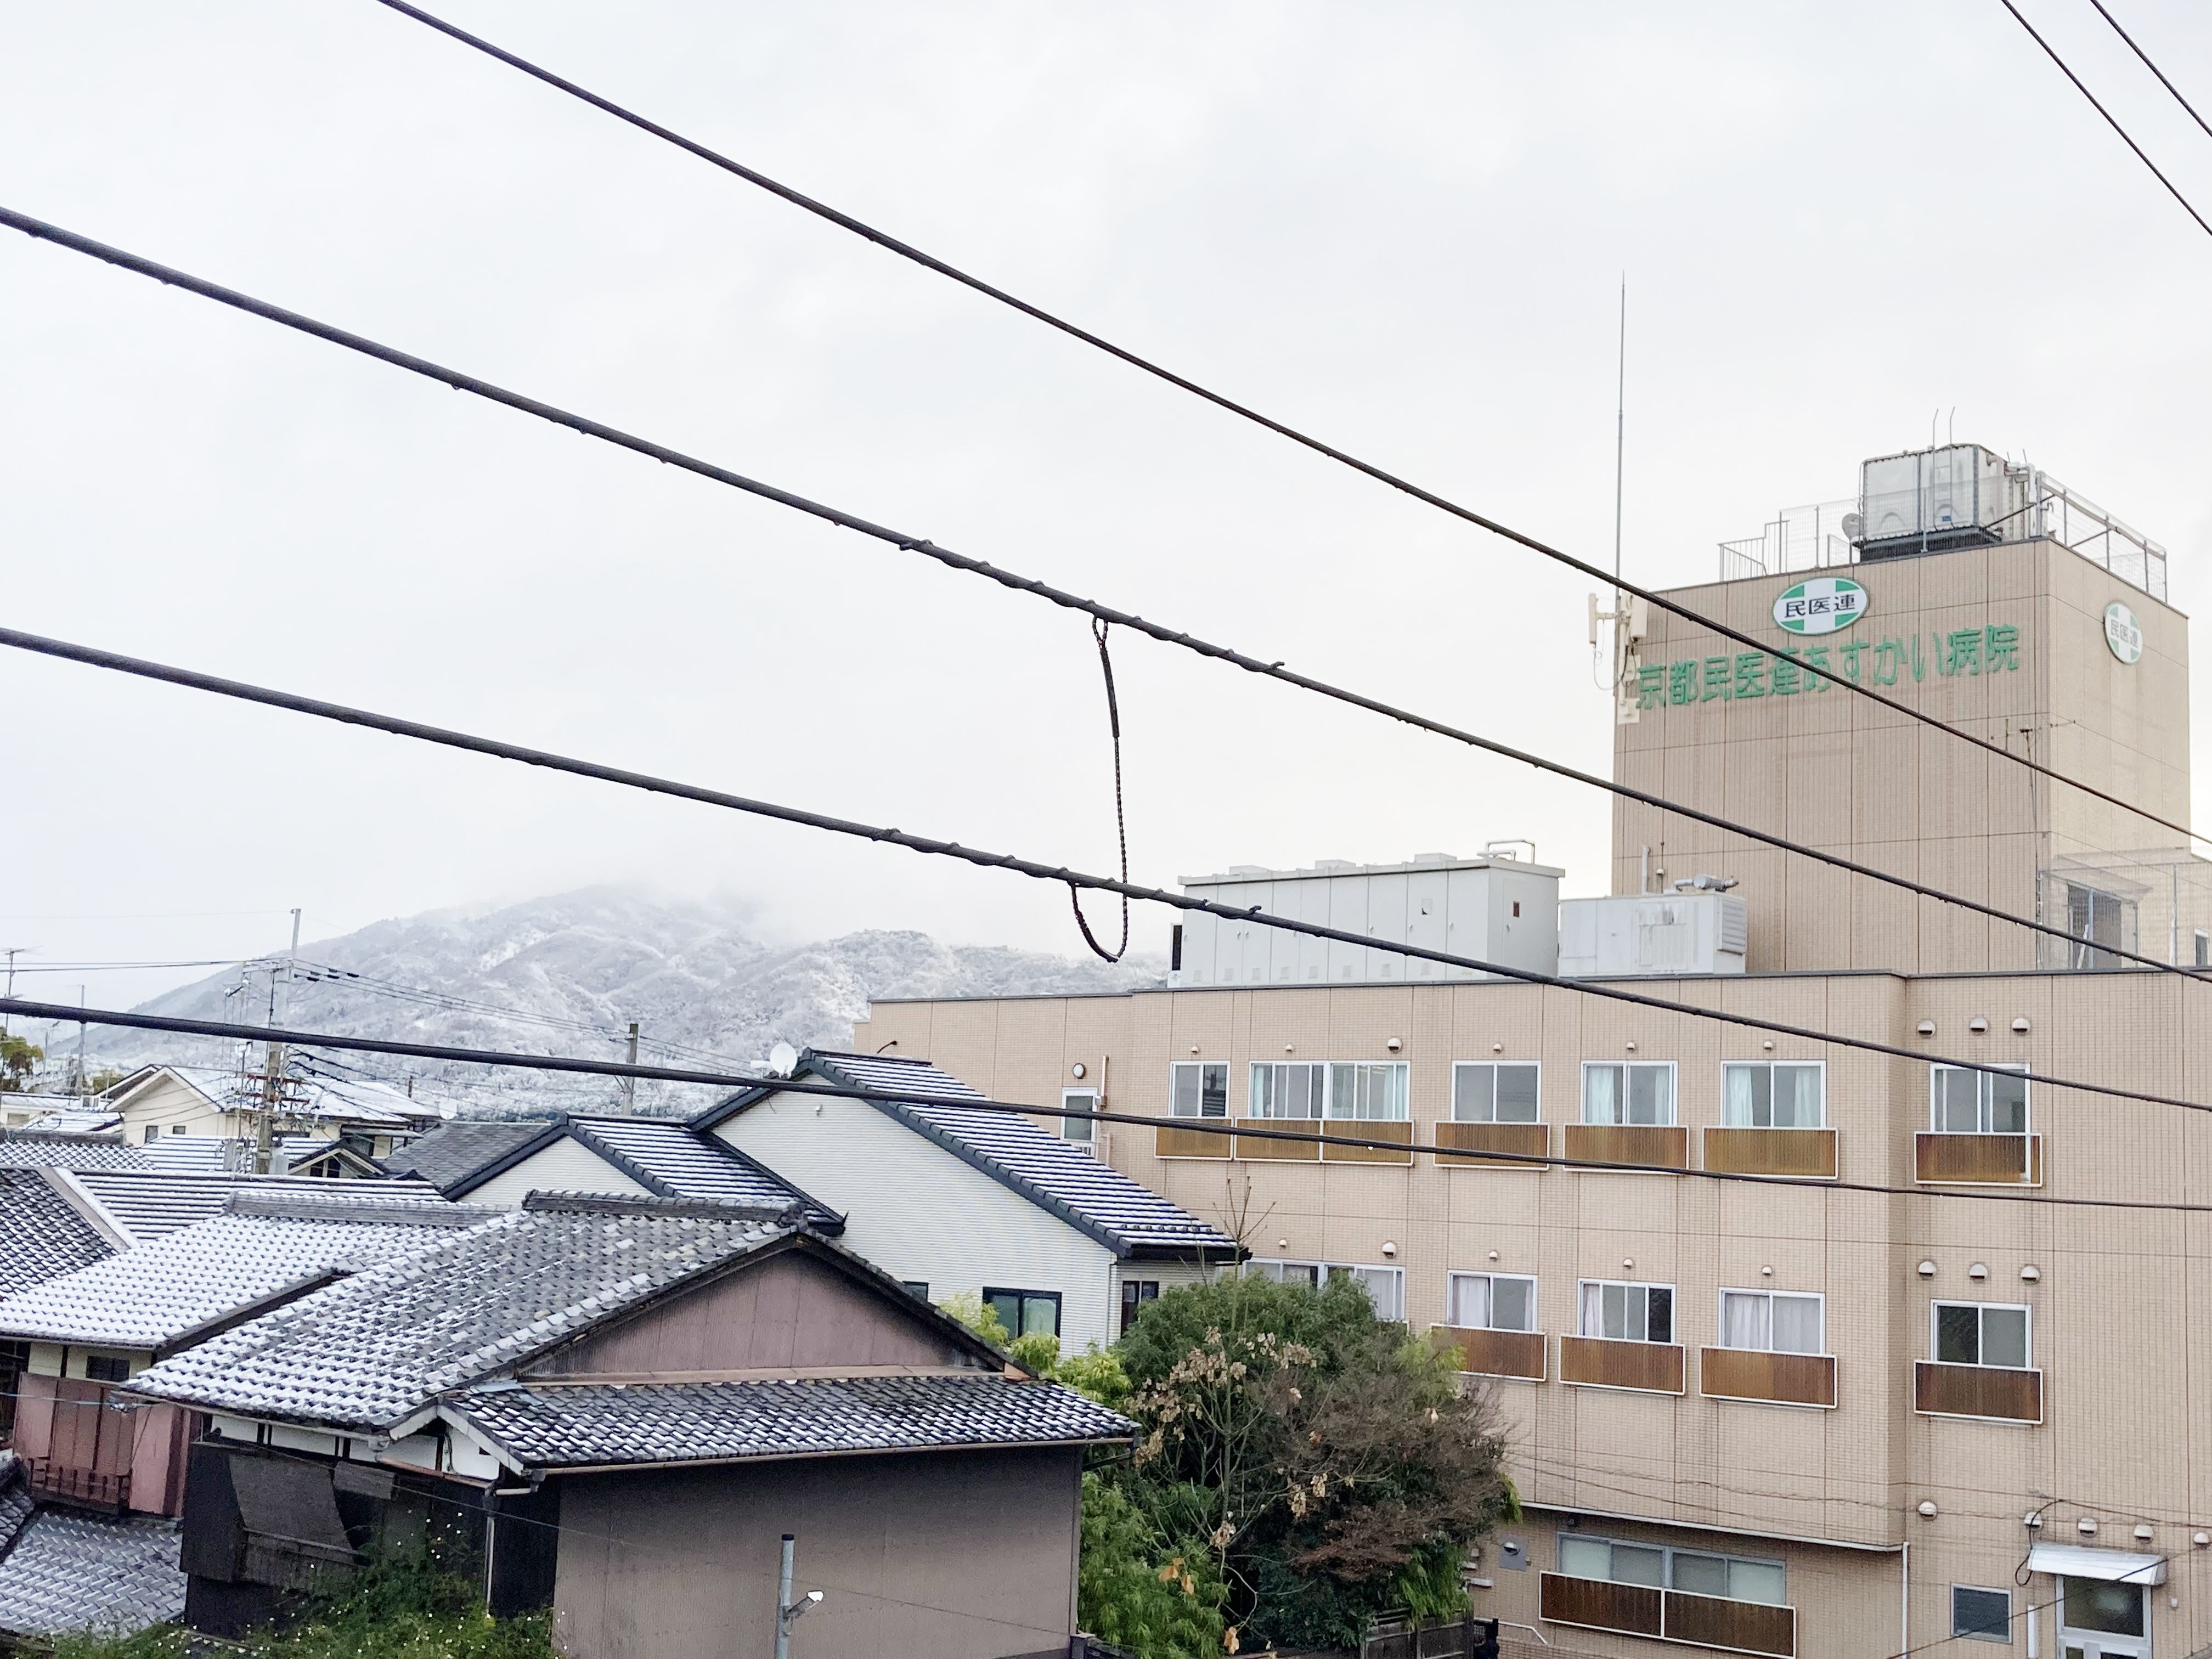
(1490,908)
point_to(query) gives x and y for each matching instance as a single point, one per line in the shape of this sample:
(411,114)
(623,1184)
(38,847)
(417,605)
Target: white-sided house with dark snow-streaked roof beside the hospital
(952,1198)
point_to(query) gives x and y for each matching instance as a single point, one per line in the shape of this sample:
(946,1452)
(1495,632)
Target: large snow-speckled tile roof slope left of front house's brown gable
(377,1348)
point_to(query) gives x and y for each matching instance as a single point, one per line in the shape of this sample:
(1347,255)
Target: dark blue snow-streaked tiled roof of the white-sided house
(1050,1171)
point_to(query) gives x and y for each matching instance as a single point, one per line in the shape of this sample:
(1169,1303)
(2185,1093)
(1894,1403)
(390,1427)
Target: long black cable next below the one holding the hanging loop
(92,656)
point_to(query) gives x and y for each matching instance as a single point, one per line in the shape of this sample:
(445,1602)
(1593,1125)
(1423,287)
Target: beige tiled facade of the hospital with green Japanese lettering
(2120,1313)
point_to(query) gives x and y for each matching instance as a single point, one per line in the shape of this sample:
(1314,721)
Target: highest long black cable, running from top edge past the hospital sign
(1220,401)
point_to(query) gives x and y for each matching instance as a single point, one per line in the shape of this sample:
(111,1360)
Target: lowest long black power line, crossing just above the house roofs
(1023,1109)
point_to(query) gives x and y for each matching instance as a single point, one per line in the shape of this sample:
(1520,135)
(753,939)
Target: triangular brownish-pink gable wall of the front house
(789,1313)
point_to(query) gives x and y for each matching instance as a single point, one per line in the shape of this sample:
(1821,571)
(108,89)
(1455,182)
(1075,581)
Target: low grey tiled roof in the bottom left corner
(87,1574)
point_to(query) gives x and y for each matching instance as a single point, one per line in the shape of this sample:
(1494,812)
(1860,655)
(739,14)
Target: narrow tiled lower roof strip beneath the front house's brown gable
(570,1428)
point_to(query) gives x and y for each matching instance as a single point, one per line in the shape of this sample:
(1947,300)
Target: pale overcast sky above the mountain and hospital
(1399,227)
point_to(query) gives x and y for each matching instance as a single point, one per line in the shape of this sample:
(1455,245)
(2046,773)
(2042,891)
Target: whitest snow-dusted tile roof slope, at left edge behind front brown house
(213,1271)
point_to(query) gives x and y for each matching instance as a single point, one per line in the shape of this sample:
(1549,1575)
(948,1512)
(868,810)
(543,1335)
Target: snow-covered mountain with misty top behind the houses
(567,974)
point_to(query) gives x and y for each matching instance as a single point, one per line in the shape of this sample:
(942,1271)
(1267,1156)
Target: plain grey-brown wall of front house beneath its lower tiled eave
(935,1556)
